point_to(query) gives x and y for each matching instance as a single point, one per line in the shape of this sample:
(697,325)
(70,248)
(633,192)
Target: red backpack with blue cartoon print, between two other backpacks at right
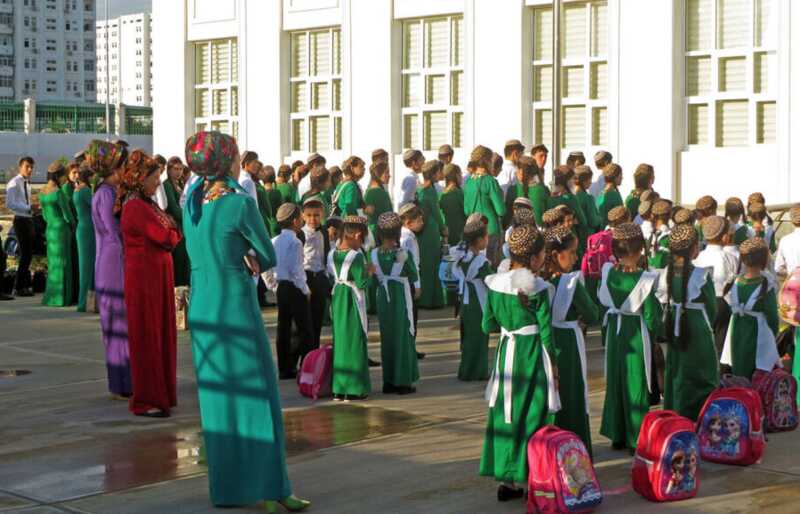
(729,427)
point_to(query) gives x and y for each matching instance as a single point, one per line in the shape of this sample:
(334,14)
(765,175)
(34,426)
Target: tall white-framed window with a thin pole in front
(584,74)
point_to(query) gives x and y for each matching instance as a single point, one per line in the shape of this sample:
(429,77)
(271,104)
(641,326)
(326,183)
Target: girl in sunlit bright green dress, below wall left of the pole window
(483,195)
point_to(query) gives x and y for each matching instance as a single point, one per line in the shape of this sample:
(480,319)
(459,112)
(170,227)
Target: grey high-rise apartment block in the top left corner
(47,50)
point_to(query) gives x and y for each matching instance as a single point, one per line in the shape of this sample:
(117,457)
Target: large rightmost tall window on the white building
(730,90)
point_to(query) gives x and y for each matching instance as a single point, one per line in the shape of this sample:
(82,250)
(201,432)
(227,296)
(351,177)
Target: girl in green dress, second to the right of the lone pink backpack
(395,273)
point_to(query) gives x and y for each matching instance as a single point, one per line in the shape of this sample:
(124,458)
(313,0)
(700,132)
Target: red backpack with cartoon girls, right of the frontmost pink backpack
(667,453)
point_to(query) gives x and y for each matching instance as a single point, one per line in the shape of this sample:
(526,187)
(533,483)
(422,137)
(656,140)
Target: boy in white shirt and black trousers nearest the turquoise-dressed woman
(293,293)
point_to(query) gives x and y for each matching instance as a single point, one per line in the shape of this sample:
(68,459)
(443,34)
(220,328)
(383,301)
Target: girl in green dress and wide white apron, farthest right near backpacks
(750,343)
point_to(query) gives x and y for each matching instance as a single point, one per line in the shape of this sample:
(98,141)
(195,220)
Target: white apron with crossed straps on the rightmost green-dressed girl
(766,349)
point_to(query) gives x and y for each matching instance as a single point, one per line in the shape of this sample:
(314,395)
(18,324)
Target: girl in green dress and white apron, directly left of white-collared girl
(471,267)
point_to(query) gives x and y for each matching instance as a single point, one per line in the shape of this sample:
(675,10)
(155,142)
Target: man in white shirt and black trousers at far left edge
(18,201)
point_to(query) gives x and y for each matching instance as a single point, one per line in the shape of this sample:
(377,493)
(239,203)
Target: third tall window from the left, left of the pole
(433,82)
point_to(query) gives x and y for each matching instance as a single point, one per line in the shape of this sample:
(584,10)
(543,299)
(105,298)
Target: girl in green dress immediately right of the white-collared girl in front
(570,303)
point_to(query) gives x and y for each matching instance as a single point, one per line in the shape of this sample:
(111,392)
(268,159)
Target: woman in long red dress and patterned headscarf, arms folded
(149,236)
